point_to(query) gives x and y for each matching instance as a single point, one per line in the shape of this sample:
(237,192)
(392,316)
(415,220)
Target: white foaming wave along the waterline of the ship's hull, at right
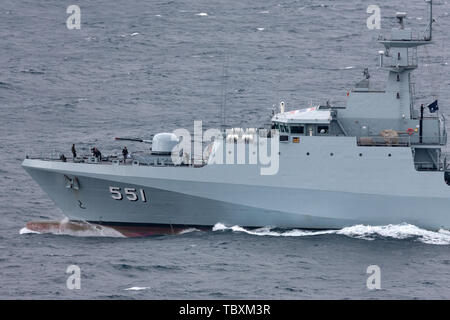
(364,232)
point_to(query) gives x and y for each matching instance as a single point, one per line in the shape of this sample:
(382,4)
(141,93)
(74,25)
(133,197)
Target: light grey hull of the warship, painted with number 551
(318,191)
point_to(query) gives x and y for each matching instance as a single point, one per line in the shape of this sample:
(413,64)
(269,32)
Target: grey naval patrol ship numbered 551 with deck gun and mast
(378,160)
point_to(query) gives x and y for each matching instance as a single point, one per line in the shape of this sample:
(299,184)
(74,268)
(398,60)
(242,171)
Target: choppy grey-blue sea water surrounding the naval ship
(137,68)
